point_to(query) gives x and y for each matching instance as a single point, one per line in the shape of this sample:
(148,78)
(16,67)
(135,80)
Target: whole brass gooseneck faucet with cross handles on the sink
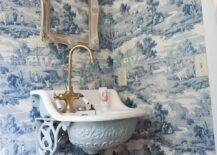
(69,96)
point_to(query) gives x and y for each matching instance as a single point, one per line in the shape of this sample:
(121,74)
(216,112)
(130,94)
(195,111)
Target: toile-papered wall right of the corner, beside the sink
(157,43)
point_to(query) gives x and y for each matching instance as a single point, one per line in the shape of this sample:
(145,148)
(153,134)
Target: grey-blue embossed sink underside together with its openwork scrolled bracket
(90,137)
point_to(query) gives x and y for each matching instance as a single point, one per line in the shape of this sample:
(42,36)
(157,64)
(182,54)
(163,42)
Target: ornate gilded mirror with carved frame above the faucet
(64,30)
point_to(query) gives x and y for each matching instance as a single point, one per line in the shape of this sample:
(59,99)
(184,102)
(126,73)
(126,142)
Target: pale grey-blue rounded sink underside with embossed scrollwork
(95,136)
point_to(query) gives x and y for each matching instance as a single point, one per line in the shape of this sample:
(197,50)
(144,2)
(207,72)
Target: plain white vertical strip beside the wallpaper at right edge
(210,24)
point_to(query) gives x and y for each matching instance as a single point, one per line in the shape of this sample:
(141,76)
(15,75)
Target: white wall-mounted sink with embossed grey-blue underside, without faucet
(94,132)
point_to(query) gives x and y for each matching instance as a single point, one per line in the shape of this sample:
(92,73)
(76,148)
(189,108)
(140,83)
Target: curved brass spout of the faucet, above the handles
(69,87)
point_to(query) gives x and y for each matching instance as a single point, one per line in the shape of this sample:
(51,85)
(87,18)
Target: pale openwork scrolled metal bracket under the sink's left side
(48,135)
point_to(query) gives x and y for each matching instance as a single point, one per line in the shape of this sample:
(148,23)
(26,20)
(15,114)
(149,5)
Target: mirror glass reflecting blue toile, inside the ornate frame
(69,17)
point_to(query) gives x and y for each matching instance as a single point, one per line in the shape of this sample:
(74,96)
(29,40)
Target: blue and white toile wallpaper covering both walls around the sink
(155,41)
